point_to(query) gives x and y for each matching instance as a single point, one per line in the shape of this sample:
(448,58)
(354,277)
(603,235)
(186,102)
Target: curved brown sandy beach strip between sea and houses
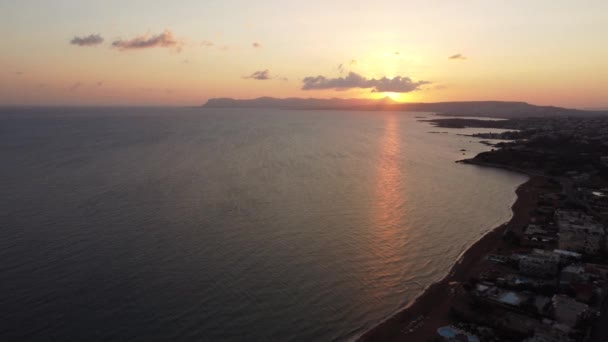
(430,310)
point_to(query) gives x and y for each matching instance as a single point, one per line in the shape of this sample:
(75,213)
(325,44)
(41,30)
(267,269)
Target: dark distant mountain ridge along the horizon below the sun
(498,109)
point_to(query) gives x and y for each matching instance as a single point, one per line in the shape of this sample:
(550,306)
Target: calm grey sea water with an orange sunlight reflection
(189,224)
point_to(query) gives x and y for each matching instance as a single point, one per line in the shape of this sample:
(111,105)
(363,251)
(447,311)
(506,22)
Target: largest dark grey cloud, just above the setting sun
(353,80)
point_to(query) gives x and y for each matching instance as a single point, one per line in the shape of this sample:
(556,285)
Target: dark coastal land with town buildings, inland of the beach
(548,278)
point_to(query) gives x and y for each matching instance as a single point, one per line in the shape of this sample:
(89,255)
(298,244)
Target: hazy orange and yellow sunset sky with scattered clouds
(60,52)
